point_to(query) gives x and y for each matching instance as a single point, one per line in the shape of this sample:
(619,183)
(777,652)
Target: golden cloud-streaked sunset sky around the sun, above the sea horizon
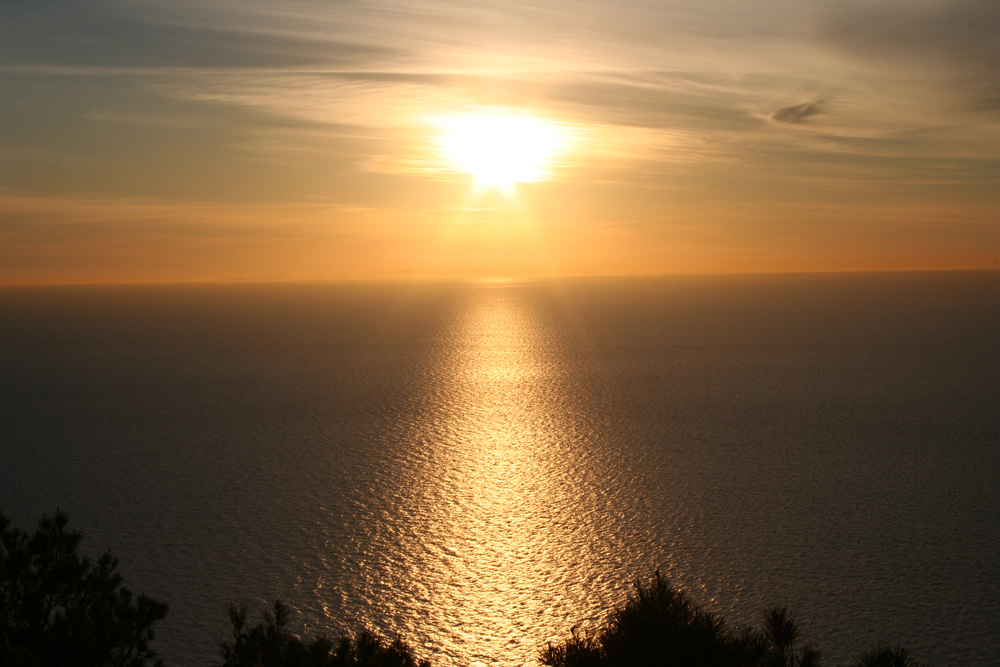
(168,140)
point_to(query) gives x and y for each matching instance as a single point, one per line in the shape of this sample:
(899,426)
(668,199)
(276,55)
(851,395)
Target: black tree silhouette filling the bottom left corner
(58,608)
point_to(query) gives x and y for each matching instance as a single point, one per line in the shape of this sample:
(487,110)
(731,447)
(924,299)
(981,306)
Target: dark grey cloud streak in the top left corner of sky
(164,35)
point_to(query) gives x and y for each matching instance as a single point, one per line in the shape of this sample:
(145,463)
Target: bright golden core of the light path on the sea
(503,534)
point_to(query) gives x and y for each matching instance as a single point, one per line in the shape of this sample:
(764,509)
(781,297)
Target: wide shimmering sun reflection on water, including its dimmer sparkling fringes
(493,514)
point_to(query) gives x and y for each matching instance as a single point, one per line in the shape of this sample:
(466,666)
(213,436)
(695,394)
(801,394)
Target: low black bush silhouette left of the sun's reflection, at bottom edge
(270,644)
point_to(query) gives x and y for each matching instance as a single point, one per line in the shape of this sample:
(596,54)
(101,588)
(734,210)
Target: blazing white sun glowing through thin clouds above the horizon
(500,150)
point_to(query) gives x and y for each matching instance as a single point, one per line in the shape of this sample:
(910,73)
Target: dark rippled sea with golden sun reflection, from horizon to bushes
(481,467)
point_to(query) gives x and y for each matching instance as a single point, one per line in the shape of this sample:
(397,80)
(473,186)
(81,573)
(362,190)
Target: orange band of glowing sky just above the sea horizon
(447,230)
